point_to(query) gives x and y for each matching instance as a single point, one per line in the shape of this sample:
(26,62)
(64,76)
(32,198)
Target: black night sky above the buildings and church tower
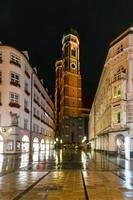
(38,26)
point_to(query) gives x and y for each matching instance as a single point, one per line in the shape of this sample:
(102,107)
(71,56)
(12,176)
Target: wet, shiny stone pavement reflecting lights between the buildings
(106,177)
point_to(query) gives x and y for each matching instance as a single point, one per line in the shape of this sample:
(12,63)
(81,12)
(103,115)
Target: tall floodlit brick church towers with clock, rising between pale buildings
(68,91)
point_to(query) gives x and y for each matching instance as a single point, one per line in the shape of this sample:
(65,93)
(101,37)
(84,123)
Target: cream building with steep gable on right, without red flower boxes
(111,115)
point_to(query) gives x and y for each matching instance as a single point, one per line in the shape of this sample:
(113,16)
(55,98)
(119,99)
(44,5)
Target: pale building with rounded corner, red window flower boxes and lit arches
(26,109)
